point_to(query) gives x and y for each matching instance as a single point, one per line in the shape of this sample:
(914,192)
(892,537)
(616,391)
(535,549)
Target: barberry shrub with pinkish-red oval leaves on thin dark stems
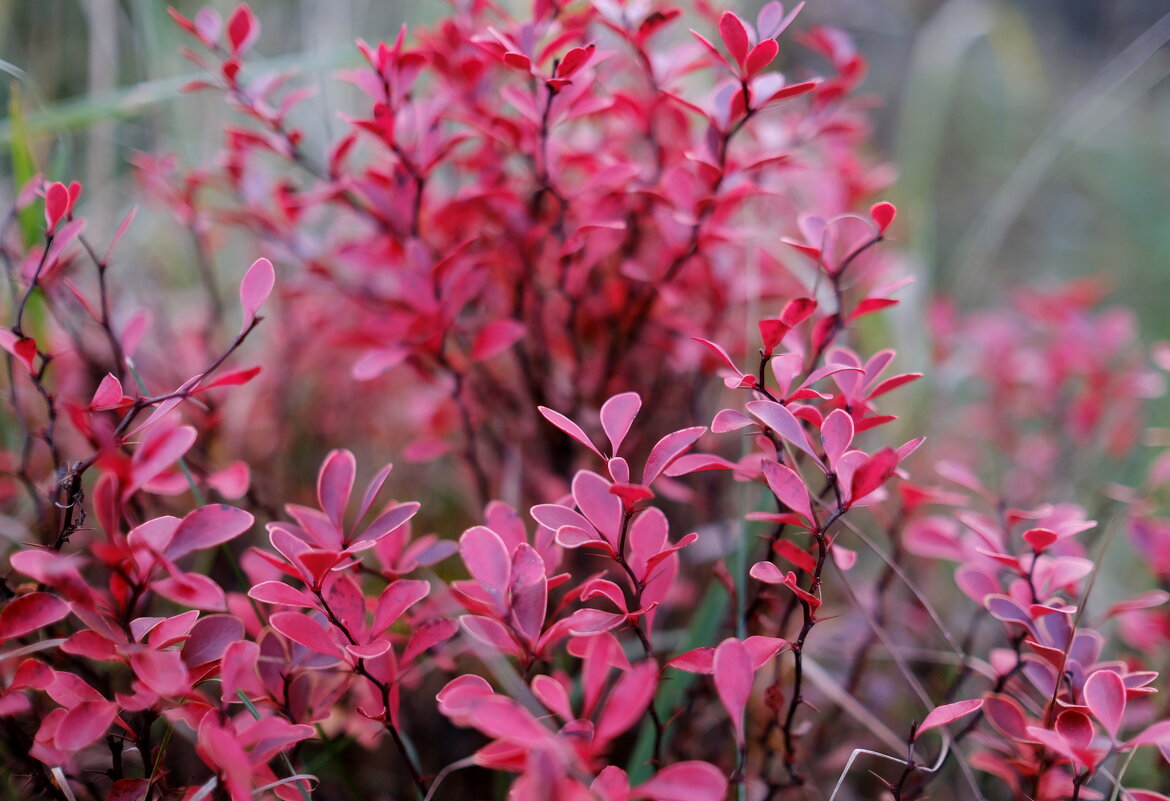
(525,270)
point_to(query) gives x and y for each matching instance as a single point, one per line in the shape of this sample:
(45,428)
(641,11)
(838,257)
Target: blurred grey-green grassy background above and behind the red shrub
(1031,137)
